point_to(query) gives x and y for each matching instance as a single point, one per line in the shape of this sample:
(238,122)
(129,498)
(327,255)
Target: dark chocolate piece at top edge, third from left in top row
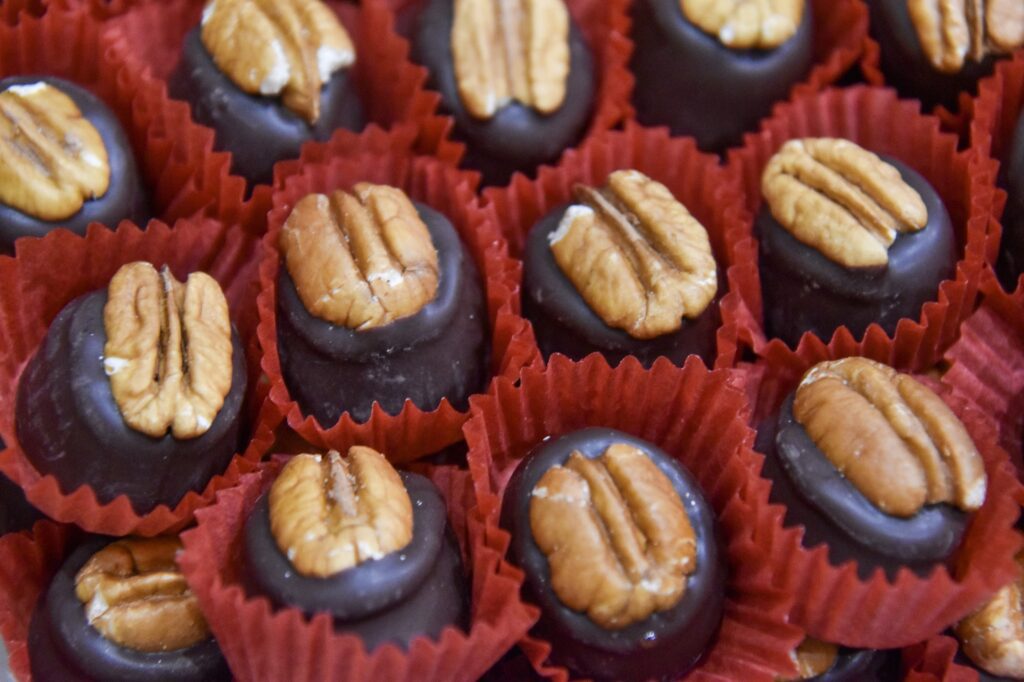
(690,81)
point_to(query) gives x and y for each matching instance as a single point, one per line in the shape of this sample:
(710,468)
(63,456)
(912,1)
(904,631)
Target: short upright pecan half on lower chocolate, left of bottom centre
(329,515)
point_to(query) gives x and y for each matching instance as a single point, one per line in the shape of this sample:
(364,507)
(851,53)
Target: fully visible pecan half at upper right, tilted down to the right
(841,199)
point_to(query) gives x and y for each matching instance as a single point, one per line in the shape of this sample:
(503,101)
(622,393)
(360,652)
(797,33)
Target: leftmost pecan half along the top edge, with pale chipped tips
(272,48)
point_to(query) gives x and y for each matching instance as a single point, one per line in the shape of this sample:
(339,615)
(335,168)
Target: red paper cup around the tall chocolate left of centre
(413,433)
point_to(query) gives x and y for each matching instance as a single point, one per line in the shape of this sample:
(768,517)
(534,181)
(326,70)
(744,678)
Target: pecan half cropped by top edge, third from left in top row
(759,25)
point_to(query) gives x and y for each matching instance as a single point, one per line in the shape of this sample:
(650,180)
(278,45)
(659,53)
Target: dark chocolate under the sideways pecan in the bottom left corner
(64,647)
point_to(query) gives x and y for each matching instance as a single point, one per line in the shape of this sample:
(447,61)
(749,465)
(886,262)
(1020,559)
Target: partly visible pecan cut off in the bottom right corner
(994,636)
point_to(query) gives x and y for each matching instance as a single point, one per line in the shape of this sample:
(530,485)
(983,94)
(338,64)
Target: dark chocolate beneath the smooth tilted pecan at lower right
(834,511)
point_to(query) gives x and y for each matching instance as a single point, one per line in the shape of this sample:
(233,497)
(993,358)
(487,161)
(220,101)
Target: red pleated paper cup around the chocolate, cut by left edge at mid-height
(50,273)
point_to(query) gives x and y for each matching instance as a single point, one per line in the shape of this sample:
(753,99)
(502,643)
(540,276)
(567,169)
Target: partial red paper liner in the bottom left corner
(28,563)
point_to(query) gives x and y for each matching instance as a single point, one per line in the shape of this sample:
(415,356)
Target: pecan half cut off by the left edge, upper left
(53,160)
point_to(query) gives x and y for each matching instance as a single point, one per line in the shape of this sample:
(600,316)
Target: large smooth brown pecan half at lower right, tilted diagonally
(895,440)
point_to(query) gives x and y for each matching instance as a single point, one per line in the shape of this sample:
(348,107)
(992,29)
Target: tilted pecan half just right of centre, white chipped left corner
(636,255)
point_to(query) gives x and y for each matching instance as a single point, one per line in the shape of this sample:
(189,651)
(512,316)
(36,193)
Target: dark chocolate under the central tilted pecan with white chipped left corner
(564,323)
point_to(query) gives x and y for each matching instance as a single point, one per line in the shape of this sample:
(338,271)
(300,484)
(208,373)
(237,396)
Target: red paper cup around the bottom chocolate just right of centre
(694,414)
